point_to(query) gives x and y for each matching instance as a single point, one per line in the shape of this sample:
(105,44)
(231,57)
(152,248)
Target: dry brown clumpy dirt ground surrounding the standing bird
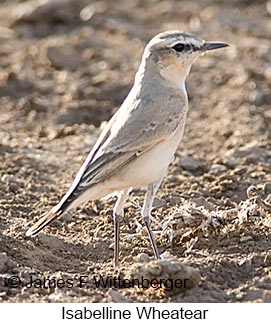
(65,68)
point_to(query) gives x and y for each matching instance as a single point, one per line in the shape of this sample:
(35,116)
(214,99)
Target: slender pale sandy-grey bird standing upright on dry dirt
(139,142)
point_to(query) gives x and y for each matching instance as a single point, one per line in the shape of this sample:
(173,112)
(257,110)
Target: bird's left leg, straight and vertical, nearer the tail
(118,213)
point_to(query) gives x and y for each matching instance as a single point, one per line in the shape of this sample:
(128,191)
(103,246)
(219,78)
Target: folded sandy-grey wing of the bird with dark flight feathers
(135,128)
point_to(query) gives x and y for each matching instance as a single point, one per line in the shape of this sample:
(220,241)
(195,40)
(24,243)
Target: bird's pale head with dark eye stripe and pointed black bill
(172,54)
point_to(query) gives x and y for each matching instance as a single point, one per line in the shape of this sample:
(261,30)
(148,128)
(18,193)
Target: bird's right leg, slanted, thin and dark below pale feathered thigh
(146,211)
